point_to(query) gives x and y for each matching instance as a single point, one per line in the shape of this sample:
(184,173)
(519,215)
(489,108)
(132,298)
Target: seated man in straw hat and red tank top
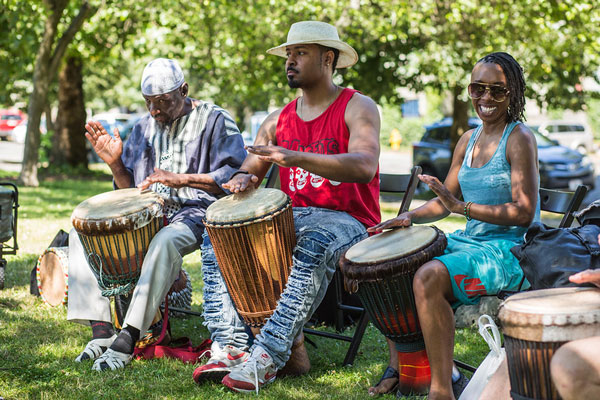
(326,144)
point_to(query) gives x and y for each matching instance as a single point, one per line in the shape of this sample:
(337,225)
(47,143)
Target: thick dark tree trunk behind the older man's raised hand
(68,142)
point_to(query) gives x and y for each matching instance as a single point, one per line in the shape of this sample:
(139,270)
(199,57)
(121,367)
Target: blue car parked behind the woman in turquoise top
(560,166)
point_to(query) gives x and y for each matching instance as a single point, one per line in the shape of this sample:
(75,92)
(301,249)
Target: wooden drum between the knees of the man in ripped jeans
(253,236)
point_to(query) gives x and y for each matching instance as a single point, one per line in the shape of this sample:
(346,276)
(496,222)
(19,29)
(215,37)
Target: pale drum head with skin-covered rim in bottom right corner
(552,315)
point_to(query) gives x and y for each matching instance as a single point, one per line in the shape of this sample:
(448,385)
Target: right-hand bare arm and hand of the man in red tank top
(358,164)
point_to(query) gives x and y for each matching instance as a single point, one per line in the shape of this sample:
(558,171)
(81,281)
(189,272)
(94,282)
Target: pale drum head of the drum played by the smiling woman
(391,244)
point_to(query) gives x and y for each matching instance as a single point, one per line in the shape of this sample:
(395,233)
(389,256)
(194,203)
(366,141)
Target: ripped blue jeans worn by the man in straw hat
(322,236)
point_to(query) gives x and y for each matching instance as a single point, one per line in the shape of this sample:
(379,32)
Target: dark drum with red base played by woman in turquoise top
(380,269)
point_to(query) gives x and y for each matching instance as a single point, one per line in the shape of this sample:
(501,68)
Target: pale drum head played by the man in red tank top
(246,206)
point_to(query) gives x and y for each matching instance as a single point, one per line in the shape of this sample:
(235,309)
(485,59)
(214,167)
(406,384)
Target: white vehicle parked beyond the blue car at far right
(574,135)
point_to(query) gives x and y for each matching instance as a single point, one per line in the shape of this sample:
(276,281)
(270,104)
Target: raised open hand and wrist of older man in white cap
(109,149)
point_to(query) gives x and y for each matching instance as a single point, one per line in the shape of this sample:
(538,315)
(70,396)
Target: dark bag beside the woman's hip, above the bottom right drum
(550,255)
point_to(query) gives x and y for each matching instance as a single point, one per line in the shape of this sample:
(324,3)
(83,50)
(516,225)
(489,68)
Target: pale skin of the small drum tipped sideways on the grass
(52,274)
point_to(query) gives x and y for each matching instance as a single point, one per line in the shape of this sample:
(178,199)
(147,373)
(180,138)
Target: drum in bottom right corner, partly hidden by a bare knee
(535,324)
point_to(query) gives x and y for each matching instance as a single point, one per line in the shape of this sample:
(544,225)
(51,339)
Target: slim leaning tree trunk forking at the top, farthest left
(46,64)
